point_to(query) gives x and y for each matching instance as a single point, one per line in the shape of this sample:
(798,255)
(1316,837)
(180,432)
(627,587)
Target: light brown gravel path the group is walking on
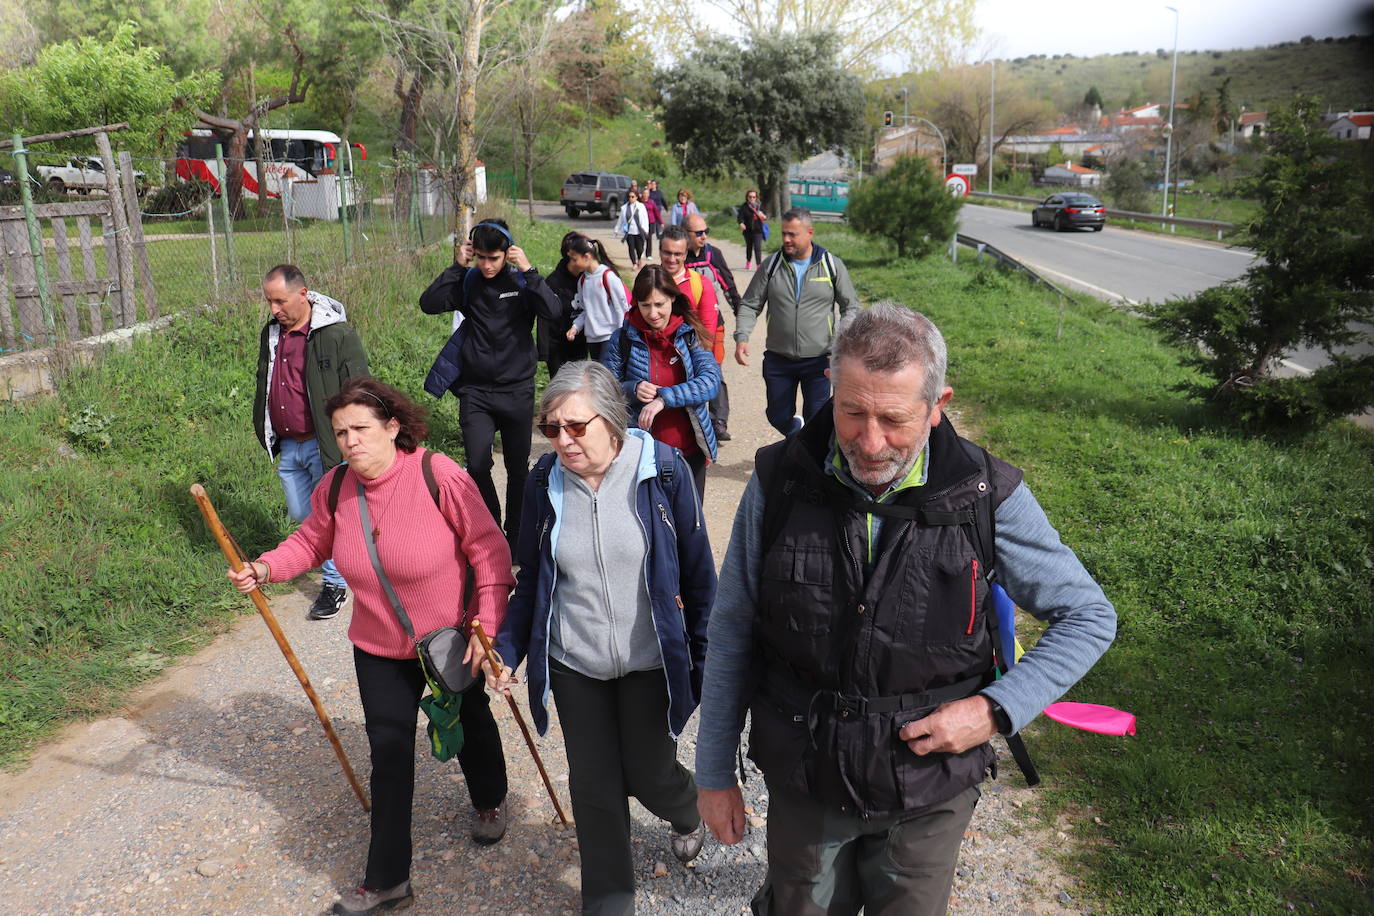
(218,794)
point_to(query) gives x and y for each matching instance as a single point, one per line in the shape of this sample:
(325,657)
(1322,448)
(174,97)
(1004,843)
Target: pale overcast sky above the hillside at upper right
(1022,28)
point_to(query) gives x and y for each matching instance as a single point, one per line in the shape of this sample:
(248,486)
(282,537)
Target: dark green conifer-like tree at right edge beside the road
(1313,285)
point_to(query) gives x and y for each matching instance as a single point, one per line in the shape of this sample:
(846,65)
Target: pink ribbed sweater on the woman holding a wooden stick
(421,547)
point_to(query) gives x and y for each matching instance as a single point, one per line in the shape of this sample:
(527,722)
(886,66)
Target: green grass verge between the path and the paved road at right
(1240,569)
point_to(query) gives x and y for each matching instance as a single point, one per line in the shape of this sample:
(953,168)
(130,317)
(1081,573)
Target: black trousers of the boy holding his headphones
(482,415)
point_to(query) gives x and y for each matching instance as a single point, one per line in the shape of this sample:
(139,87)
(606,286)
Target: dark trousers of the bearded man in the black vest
(828,863)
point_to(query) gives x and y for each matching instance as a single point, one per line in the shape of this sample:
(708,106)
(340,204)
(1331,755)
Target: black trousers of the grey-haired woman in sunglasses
(616,735)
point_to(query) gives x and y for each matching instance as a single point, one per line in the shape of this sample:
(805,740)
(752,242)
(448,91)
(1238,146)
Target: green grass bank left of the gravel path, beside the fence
(113,575)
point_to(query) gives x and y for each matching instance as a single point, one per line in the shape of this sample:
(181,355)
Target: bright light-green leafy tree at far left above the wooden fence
(87,83)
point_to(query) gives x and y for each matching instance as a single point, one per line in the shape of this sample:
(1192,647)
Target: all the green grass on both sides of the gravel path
(1240,566)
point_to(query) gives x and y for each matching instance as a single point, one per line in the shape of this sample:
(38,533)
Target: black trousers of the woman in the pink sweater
(391,691)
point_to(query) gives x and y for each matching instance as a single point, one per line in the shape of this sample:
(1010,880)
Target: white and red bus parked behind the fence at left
(295,157)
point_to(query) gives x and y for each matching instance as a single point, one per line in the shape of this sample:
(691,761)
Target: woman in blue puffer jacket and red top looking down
(667,376)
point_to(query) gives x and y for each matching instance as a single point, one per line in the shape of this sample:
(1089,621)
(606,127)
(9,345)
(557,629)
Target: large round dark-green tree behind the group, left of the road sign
(761,108)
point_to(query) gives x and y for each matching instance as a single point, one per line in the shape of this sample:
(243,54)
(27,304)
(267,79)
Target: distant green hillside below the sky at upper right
(1340,71)
